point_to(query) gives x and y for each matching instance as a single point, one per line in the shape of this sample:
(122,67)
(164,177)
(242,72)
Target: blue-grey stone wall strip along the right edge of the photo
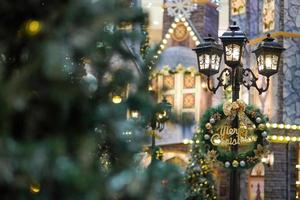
(291,88)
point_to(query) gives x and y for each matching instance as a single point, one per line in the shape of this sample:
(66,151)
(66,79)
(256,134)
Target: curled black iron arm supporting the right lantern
(252,82)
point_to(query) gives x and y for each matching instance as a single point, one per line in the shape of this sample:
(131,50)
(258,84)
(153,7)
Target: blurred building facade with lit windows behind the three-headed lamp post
(178,26)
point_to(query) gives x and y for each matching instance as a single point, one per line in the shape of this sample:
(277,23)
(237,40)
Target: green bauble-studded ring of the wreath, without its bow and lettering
(229,159)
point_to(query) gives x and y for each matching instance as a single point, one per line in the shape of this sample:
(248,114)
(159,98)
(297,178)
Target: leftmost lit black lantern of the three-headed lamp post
(209,56)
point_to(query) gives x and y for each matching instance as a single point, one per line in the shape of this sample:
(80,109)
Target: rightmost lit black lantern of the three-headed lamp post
(268,55)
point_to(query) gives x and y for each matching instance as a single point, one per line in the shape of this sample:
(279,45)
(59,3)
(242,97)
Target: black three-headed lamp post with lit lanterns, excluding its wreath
(209,58)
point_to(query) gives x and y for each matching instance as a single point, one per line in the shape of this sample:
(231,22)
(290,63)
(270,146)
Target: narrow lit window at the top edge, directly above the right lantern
(268,15)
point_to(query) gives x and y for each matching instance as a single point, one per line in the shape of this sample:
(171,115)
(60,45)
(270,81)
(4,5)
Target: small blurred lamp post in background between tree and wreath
(159,117)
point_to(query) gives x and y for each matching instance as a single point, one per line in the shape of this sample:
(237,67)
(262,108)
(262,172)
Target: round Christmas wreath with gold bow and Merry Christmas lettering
(211,140)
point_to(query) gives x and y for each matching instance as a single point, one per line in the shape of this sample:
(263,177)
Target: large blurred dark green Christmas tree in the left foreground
(62,135)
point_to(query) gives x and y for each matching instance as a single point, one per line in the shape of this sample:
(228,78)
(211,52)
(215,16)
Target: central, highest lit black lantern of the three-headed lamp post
(233,42)
